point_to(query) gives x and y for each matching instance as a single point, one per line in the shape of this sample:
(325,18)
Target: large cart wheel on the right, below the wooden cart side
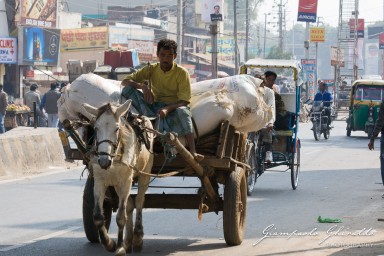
(235,207)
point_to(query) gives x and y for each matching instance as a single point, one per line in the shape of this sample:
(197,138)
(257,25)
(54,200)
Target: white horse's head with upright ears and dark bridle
(107,126)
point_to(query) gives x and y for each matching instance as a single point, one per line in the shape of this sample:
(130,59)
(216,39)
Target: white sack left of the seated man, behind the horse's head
(87,88)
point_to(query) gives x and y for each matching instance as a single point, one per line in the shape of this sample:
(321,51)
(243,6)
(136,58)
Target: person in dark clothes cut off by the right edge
(379,127)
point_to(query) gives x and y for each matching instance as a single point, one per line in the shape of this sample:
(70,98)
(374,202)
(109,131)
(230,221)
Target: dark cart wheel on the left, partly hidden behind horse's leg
(88,204)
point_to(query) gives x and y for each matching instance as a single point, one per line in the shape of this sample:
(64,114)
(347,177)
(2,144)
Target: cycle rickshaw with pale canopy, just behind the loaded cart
(286,144)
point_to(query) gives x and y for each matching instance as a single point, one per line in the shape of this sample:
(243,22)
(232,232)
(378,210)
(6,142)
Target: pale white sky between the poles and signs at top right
(328,10)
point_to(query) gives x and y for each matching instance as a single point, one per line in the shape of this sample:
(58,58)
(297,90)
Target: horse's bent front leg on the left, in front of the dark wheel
(98,216)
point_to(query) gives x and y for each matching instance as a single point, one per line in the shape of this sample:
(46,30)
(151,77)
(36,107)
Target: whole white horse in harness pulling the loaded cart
(118,158)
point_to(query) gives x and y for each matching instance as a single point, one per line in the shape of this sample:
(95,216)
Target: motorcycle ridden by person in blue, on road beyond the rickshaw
(320,120)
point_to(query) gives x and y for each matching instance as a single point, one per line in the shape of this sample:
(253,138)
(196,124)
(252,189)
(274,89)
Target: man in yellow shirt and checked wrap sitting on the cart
(166,93)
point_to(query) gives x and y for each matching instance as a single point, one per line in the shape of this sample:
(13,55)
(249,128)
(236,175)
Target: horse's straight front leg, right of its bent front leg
(121,216)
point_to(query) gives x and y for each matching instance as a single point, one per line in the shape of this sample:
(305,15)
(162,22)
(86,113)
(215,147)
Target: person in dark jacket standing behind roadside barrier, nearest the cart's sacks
(49,103)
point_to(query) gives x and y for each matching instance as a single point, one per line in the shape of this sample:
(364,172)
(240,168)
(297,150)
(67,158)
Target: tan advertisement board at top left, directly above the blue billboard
(38,13)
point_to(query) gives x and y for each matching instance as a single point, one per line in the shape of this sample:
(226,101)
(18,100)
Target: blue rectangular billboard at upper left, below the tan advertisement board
(38,46)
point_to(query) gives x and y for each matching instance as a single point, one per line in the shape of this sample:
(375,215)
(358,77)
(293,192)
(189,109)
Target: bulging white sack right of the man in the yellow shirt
(238,99)
